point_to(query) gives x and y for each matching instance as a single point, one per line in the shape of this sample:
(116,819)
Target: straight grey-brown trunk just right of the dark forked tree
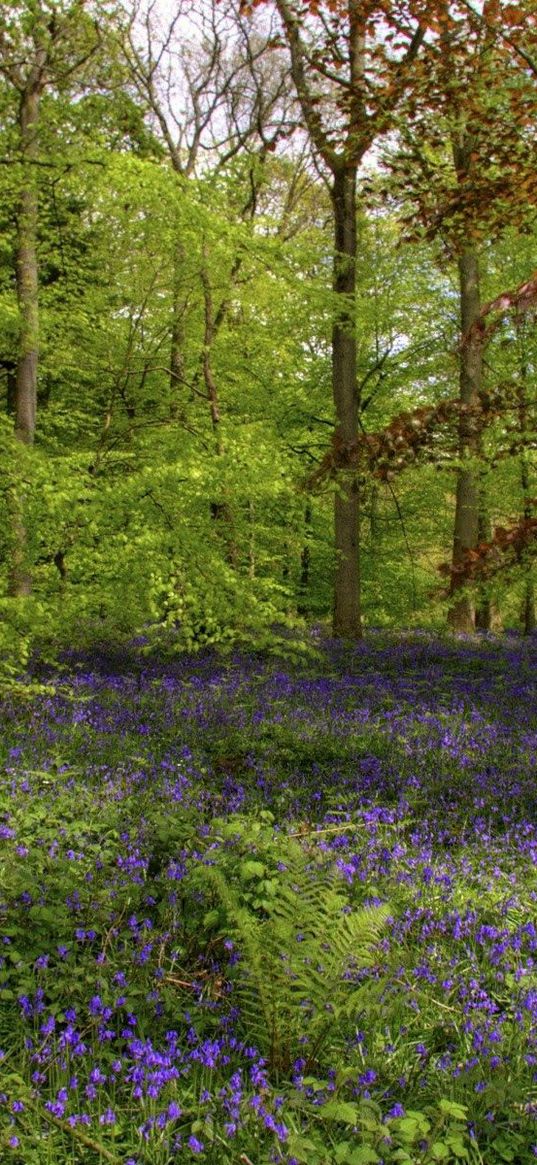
(467,524)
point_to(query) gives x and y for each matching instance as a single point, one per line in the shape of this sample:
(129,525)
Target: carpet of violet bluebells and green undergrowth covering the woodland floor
(404,769)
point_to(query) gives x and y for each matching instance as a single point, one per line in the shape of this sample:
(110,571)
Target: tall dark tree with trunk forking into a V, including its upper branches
(349,80)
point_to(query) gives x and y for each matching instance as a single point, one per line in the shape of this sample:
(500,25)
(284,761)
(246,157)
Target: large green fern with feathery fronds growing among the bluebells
(295,978)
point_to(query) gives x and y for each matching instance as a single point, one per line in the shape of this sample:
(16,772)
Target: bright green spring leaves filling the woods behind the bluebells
(131,467)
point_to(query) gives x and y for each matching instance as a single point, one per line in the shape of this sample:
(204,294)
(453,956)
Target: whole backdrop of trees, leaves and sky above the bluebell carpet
(267,337)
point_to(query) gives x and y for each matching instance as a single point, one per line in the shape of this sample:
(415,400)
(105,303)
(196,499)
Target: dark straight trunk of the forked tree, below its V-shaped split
(348,609)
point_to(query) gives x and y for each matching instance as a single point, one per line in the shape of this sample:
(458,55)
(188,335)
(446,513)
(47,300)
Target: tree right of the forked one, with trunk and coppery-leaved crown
(467,164)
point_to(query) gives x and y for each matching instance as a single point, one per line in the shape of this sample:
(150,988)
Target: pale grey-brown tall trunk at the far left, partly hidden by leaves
(27,293)
